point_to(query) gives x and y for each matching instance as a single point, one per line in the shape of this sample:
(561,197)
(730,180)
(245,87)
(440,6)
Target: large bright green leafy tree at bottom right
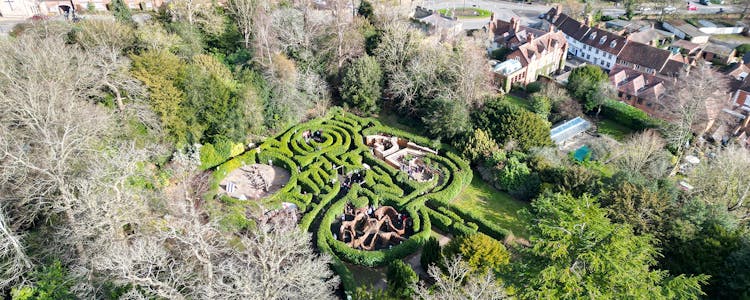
(578,252)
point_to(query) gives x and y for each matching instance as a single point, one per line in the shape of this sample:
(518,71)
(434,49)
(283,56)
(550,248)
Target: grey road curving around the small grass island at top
(503,10)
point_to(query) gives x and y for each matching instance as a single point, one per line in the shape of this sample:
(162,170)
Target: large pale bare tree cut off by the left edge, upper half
(48,126)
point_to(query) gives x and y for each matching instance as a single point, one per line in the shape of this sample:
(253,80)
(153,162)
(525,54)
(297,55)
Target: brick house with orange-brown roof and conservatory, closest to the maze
(534,52)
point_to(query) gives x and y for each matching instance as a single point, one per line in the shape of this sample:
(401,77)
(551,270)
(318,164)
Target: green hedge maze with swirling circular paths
(338,148)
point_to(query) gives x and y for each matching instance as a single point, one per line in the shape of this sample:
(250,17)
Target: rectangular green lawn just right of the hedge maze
(493,205)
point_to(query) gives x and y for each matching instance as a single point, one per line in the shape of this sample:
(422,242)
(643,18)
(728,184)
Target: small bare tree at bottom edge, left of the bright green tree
(458,282)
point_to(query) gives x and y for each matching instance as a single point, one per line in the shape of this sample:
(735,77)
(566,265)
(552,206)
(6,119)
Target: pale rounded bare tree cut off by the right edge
(723,180)
